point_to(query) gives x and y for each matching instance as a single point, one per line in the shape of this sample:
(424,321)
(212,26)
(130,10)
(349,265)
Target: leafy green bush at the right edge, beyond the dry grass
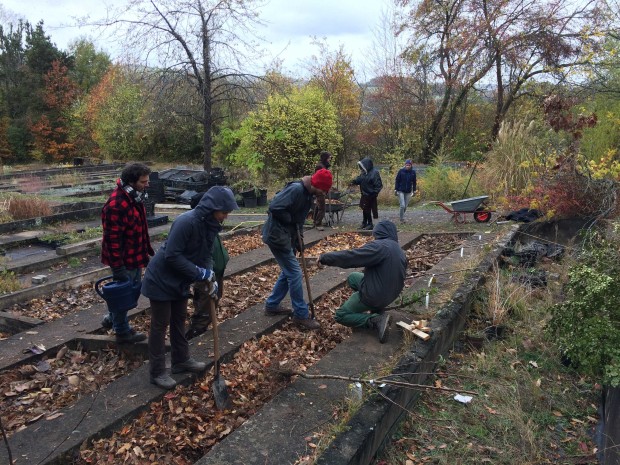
(587,323)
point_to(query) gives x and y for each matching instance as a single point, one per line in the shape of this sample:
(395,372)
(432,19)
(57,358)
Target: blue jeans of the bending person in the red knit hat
(289,280)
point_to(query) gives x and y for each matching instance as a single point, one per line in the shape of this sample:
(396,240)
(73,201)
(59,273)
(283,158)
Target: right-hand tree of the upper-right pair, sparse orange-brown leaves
(538,38)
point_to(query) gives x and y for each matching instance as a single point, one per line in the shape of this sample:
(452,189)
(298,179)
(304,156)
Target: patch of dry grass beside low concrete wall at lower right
(530,409)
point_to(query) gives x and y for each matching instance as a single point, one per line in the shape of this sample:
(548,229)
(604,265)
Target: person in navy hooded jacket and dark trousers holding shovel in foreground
(185,258)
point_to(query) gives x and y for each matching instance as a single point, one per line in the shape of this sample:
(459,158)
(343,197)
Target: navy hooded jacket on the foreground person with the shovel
(190,244)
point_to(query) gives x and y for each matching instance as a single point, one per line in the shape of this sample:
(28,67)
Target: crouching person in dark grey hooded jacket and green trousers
(379,285)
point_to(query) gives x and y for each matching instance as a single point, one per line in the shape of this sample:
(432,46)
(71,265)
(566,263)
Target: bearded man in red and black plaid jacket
(126,246)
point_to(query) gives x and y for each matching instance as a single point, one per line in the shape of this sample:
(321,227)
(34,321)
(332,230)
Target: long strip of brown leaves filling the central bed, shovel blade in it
(185,424)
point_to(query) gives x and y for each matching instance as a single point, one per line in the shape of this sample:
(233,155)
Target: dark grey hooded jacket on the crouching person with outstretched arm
(384,265)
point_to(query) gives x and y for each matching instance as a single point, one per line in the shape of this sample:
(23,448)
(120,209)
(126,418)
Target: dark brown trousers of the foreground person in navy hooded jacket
(163,314)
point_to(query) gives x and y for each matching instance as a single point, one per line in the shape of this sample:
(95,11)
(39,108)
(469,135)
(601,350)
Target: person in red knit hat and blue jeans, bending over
(287,214)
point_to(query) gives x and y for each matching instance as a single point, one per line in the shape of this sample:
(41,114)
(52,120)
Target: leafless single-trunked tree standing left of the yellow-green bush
(204,43)
